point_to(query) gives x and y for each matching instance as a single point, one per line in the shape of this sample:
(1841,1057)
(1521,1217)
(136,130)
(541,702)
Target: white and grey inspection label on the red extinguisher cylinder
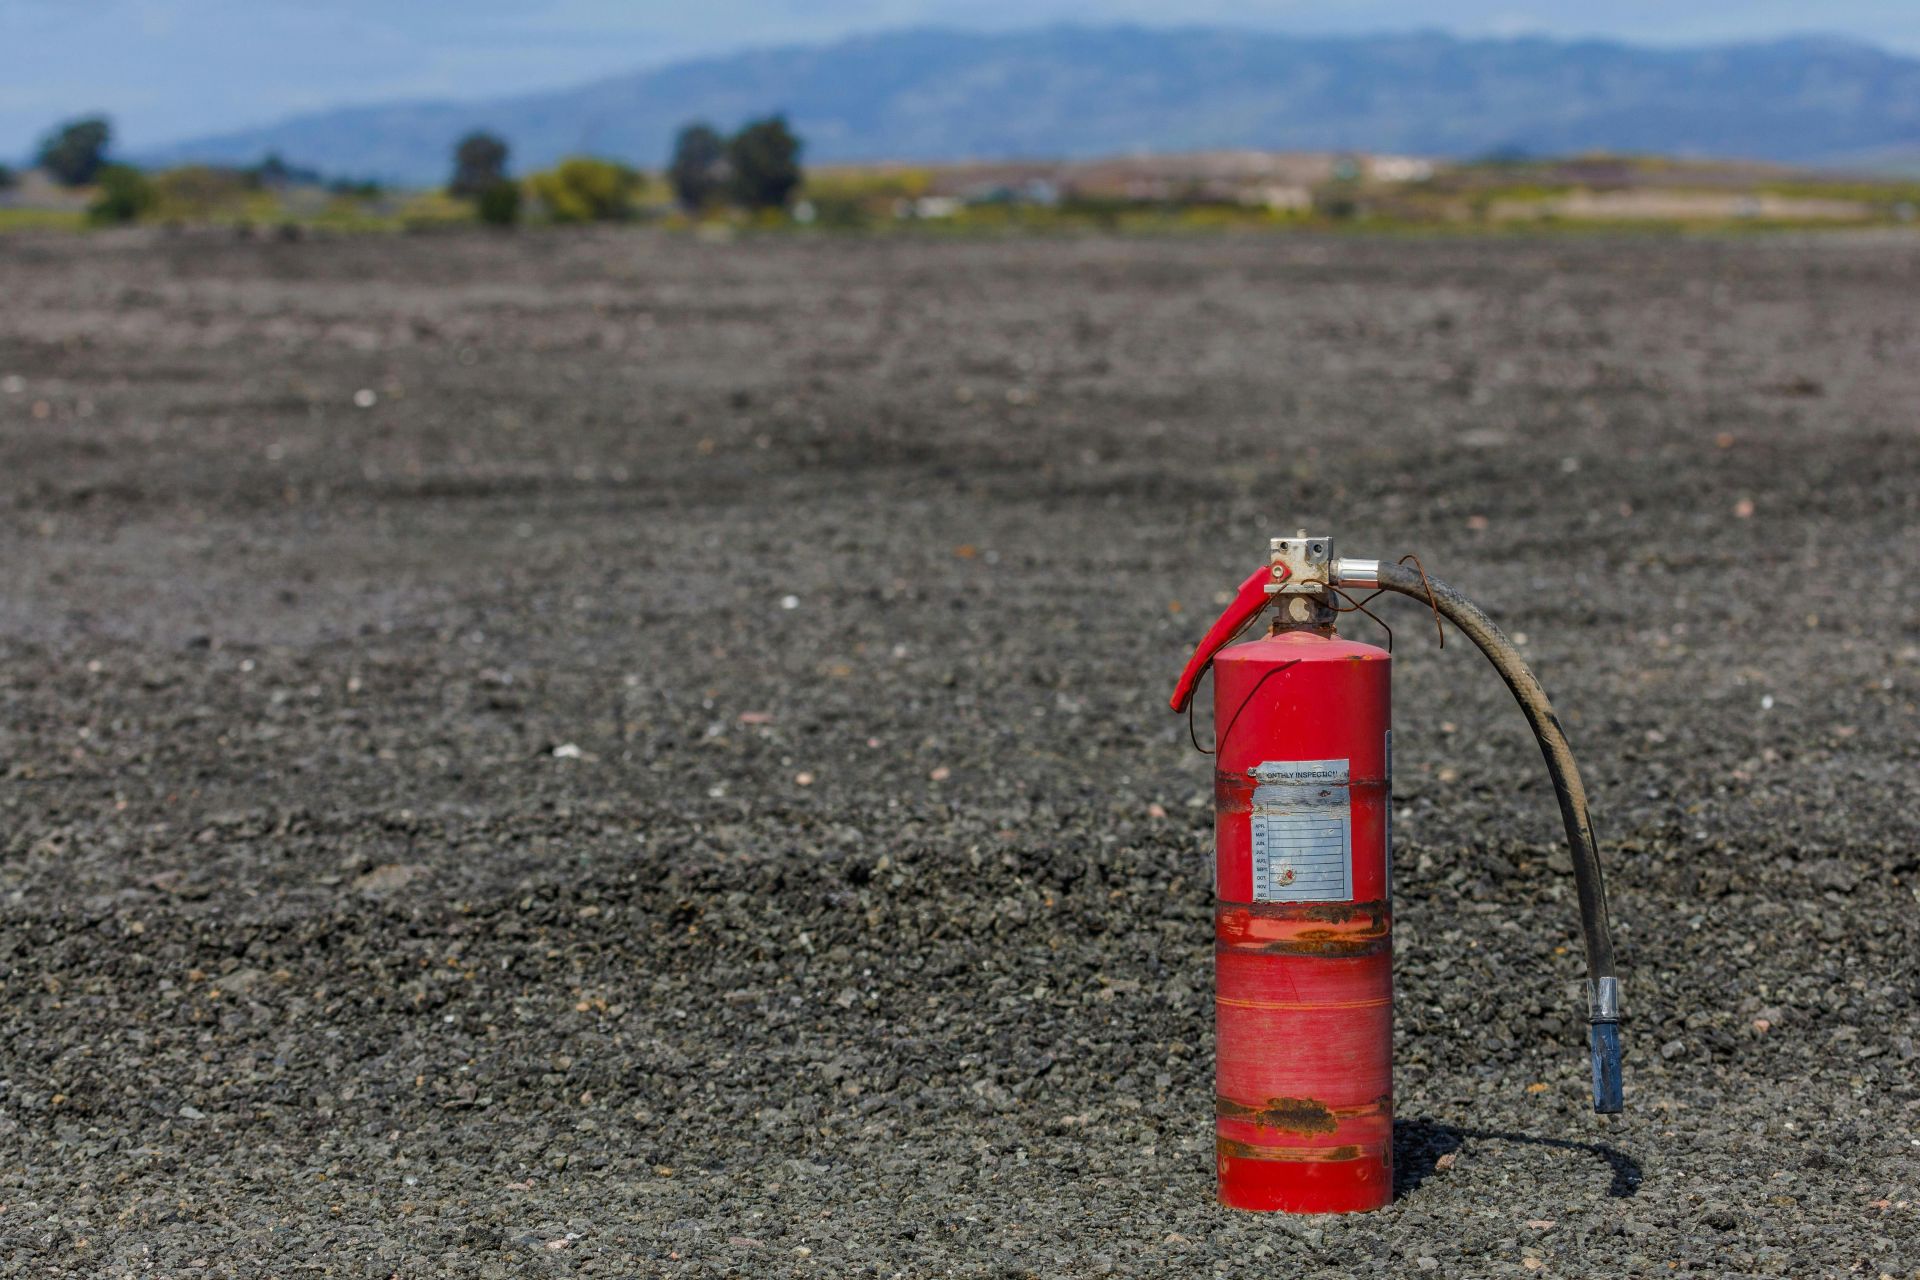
(1303,832)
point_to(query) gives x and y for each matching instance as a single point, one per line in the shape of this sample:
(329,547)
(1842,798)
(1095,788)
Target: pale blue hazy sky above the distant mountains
(170,70)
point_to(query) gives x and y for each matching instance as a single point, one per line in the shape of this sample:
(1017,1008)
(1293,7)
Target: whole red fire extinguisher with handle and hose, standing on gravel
(1305,884)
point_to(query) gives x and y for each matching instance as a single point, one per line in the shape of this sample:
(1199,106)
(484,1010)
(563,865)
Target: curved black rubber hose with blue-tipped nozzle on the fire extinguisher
(1568,790)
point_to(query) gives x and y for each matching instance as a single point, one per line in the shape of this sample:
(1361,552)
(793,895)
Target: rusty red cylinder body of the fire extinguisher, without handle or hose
(1305,985)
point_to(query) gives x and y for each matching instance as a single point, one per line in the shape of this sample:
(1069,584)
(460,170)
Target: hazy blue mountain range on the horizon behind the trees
(1090,91)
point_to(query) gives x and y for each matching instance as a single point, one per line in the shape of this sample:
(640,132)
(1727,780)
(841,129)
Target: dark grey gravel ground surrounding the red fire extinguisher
(613,755)
